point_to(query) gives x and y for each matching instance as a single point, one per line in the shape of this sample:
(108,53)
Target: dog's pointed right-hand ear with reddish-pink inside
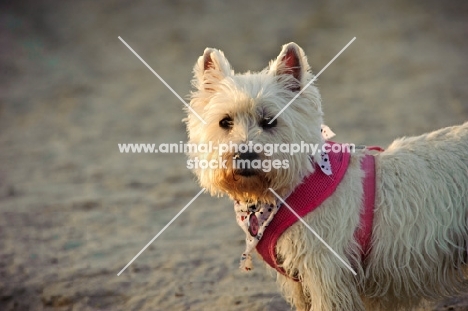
(291,61)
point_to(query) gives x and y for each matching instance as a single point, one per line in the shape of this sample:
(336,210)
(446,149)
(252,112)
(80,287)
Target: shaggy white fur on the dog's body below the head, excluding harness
(419,235)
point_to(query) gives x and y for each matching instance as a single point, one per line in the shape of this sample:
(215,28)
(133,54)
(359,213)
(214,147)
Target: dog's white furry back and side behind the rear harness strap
(420,234)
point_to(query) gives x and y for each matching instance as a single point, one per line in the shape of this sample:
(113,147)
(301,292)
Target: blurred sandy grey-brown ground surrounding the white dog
(74,211)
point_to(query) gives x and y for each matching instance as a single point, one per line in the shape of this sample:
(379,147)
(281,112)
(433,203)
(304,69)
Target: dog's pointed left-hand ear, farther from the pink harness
(210,68)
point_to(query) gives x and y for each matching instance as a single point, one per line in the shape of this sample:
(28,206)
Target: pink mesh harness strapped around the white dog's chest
(309,195)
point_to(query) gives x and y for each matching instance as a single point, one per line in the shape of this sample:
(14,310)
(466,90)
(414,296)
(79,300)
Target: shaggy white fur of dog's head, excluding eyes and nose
(248,99)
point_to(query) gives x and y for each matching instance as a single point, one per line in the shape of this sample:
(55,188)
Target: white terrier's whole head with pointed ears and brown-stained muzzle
(242,110)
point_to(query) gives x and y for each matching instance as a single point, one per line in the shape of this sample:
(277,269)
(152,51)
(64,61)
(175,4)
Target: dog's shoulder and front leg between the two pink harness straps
(326,283)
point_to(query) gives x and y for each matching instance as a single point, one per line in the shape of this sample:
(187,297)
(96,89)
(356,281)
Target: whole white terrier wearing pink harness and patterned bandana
(390,226)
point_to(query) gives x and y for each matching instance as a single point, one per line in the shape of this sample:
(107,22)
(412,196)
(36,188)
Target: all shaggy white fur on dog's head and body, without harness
(420,229)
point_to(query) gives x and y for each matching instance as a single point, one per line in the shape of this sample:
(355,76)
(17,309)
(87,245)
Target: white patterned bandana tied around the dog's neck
(254,219)
